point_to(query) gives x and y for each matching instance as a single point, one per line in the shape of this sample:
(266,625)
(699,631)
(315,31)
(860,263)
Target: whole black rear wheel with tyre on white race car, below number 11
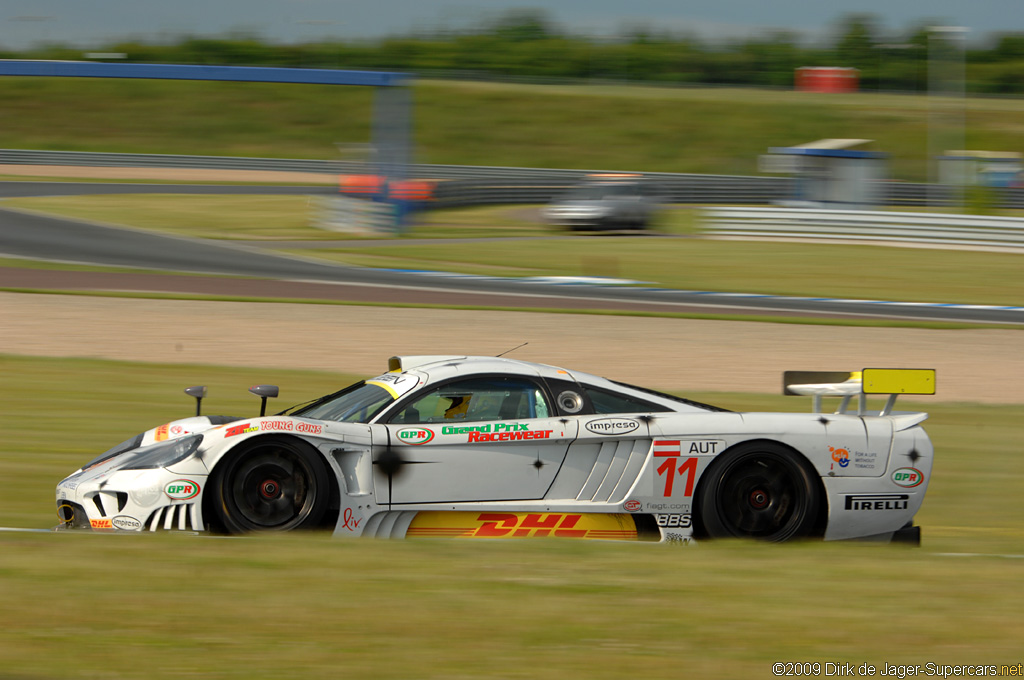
(759,490)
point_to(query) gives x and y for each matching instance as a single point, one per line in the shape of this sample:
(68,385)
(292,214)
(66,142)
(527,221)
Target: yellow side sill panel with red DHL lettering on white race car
(524,526)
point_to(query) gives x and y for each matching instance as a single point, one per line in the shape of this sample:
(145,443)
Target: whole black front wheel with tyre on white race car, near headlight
(273,484)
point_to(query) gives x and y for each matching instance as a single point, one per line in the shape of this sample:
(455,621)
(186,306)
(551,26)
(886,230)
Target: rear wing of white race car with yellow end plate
(846,386)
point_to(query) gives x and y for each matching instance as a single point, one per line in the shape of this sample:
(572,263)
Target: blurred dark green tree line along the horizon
(527,45)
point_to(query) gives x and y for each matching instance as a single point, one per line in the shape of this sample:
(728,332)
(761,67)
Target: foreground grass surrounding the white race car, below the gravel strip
(172,607)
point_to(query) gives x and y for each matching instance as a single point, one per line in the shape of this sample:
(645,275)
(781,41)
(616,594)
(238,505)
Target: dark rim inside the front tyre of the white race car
(272,489)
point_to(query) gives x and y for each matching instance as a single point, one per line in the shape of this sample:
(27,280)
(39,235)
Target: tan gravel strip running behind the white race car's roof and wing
(979,365)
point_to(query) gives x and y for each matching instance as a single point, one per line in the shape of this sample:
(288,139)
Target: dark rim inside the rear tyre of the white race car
(762,495)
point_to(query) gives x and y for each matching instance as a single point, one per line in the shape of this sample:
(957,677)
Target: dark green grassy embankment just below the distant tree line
(720,132)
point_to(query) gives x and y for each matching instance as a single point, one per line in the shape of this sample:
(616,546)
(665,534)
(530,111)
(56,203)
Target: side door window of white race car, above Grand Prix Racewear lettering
(478,400)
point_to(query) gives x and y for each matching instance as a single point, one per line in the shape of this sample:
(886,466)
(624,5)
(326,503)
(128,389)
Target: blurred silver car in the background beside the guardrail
(606,202)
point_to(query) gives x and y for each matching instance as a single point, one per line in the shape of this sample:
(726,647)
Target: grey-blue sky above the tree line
(90,24)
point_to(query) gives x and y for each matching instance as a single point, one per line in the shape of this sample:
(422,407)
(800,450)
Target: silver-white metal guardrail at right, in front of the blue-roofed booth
(952,230)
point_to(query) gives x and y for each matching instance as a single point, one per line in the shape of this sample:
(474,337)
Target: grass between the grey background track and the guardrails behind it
(780,269)
